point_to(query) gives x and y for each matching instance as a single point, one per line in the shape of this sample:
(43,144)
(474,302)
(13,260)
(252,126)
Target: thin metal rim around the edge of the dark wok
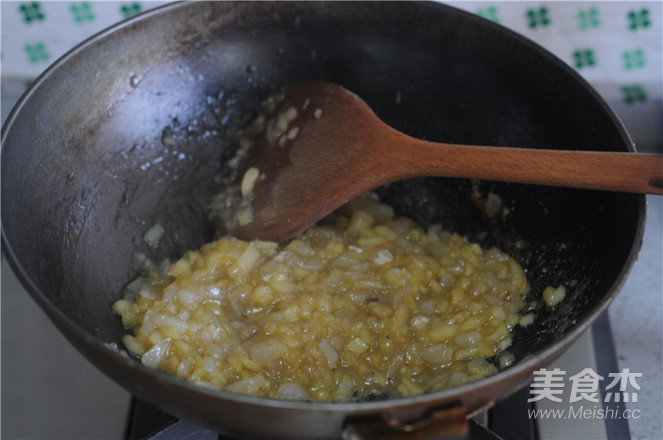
(524,368)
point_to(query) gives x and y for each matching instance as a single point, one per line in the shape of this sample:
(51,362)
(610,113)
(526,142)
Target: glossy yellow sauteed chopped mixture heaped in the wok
(367,305)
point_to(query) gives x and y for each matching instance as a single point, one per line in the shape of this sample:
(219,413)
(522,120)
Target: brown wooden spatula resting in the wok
(322,145)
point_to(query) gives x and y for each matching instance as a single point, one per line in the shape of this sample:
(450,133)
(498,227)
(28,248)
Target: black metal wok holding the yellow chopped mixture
(129,129)
